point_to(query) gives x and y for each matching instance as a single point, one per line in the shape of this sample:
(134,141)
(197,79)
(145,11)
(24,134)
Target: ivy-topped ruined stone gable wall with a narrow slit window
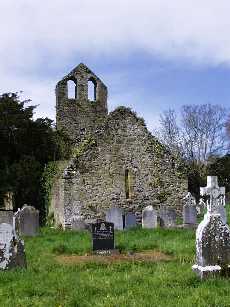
(96,180)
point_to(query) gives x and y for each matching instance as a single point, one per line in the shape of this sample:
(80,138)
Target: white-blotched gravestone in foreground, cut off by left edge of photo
(12,252)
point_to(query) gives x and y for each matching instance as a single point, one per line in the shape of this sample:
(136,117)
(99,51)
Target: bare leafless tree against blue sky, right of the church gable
(199,134)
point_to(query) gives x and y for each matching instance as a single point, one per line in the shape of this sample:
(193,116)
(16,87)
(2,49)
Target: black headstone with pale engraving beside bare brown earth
(103,237)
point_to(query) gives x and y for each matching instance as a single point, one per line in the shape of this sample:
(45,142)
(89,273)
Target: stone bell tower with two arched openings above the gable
(81,103)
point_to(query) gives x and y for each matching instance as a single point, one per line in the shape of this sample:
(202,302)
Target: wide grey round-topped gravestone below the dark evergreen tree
(27,221)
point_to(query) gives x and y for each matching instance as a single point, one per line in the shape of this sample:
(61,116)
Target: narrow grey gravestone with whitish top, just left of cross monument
(189,211)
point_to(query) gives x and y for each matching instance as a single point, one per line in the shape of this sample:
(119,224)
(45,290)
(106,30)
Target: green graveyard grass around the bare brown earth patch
(166,283)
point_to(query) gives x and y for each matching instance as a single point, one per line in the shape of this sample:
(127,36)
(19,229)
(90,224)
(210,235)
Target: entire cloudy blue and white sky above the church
(151,54)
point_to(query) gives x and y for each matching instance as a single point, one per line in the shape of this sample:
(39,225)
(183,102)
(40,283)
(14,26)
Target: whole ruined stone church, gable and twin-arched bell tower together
(118,163)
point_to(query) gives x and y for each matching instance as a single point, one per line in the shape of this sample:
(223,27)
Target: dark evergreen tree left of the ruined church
(26,146)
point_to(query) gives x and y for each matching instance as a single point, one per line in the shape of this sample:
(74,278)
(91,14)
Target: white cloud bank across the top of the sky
(37,35)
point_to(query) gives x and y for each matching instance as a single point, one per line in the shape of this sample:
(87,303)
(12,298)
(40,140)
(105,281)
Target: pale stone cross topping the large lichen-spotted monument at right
(216,194)
